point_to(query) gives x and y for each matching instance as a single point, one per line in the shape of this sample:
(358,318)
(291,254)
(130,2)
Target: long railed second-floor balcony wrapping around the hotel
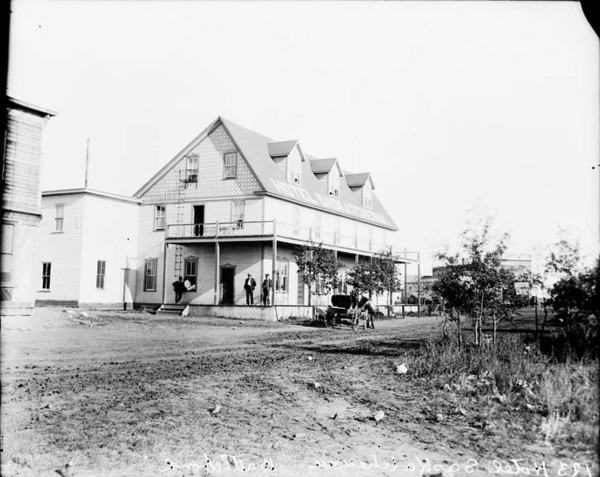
(271,229)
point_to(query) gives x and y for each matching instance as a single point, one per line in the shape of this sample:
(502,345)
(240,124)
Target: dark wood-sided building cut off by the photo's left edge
(21,212)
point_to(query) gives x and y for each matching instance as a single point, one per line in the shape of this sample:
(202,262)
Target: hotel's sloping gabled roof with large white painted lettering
(255,150)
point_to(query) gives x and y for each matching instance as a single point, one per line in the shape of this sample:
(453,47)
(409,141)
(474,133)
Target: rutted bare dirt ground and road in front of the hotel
(140,394)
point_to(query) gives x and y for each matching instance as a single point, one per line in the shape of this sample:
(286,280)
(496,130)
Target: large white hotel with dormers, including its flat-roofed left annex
(232,202)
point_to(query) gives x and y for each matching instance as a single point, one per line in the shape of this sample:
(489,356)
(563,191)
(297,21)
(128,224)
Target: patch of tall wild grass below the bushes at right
(562,397)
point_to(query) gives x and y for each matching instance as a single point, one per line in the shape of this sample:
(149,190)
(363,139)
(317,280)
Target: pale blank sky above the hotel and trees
(454,107)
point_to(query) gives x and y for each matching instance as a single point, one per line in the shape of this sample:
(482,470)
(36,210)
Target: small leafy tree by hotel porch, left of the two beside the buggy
(319,269)
